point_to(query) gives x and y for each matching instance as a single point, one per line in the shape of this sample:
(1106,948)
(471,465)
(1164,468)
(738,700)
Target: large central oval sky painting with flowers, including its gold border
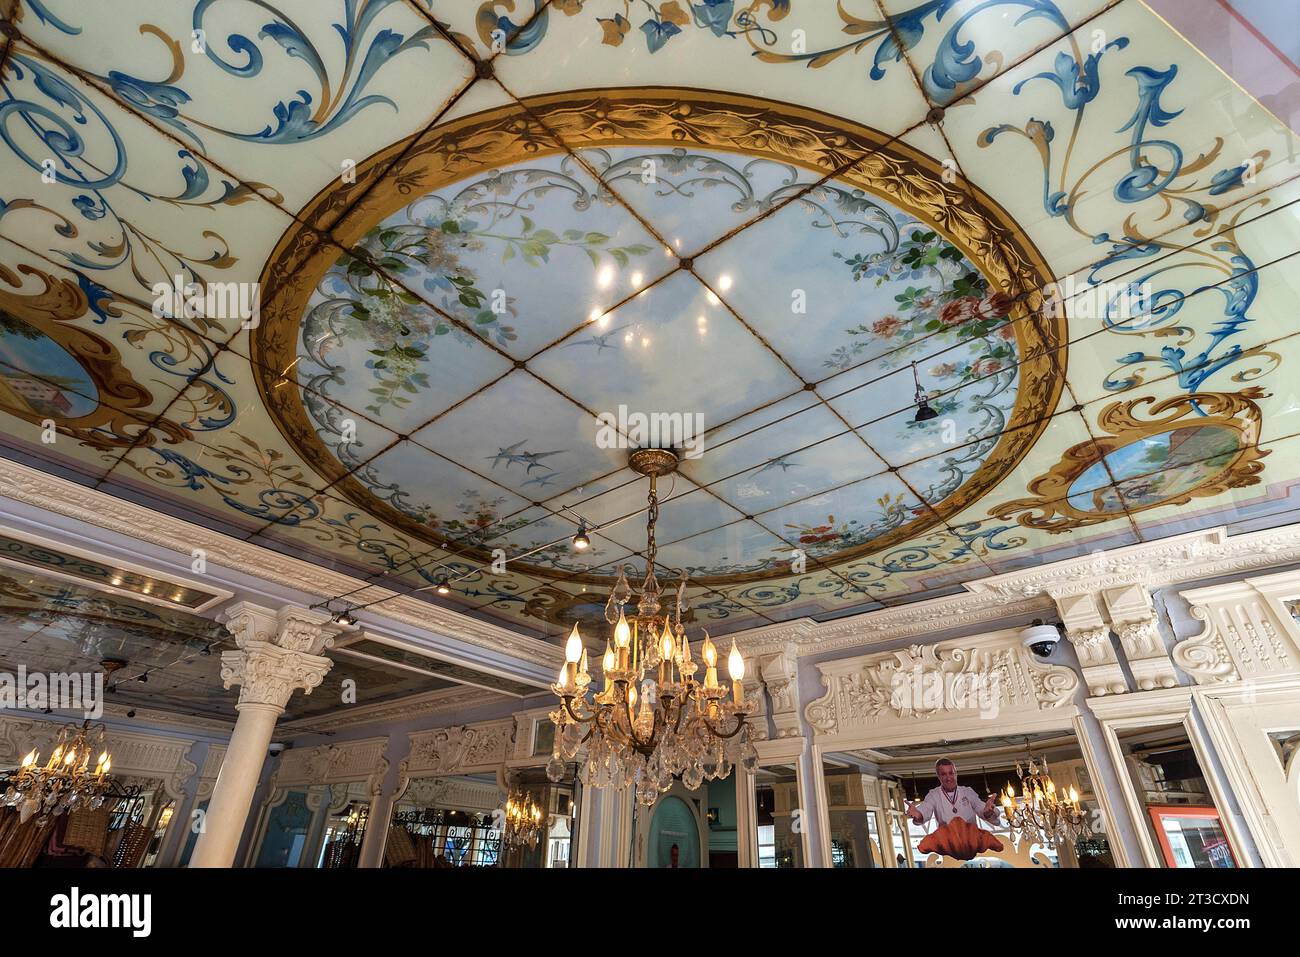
(495,283)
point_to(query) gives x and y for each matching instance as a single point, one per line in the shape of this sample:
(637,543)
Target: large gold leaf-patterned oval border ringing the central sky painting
(664,118)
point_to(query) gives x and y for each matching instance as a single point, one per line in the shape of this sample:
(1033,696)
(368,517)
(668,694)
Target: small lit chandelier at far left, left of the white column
(66,781)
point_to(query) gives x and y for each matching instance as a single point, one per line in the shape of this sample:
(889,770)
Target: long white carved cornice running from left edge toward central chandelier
(44,491)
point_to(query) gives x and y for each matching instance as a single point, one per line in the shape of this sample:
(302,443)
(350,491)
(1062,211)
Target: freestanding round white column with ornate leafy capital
(279,653)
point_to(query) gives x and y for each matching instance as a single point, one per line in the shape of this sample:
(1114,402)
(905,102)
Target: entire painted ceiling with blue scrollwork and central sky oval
(478,228)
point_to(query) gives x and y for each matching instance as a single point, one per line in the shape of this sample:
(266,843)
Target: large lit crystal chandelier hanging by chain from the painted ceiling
(652,721)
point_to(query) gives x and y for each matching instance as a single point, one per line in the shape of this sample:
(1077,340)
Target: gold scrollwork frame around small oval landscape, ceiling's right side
(1051,508)
